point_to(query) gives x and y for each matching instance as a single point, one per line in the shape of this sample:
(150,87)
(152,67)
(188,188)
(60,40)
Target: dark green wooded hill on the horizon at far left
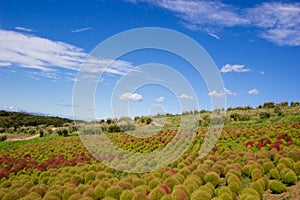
(19,119)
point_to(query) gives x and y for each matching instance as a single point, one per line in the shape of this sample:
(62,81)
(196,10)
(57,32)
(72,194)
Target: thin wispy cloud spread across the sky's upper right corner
(278,22)
